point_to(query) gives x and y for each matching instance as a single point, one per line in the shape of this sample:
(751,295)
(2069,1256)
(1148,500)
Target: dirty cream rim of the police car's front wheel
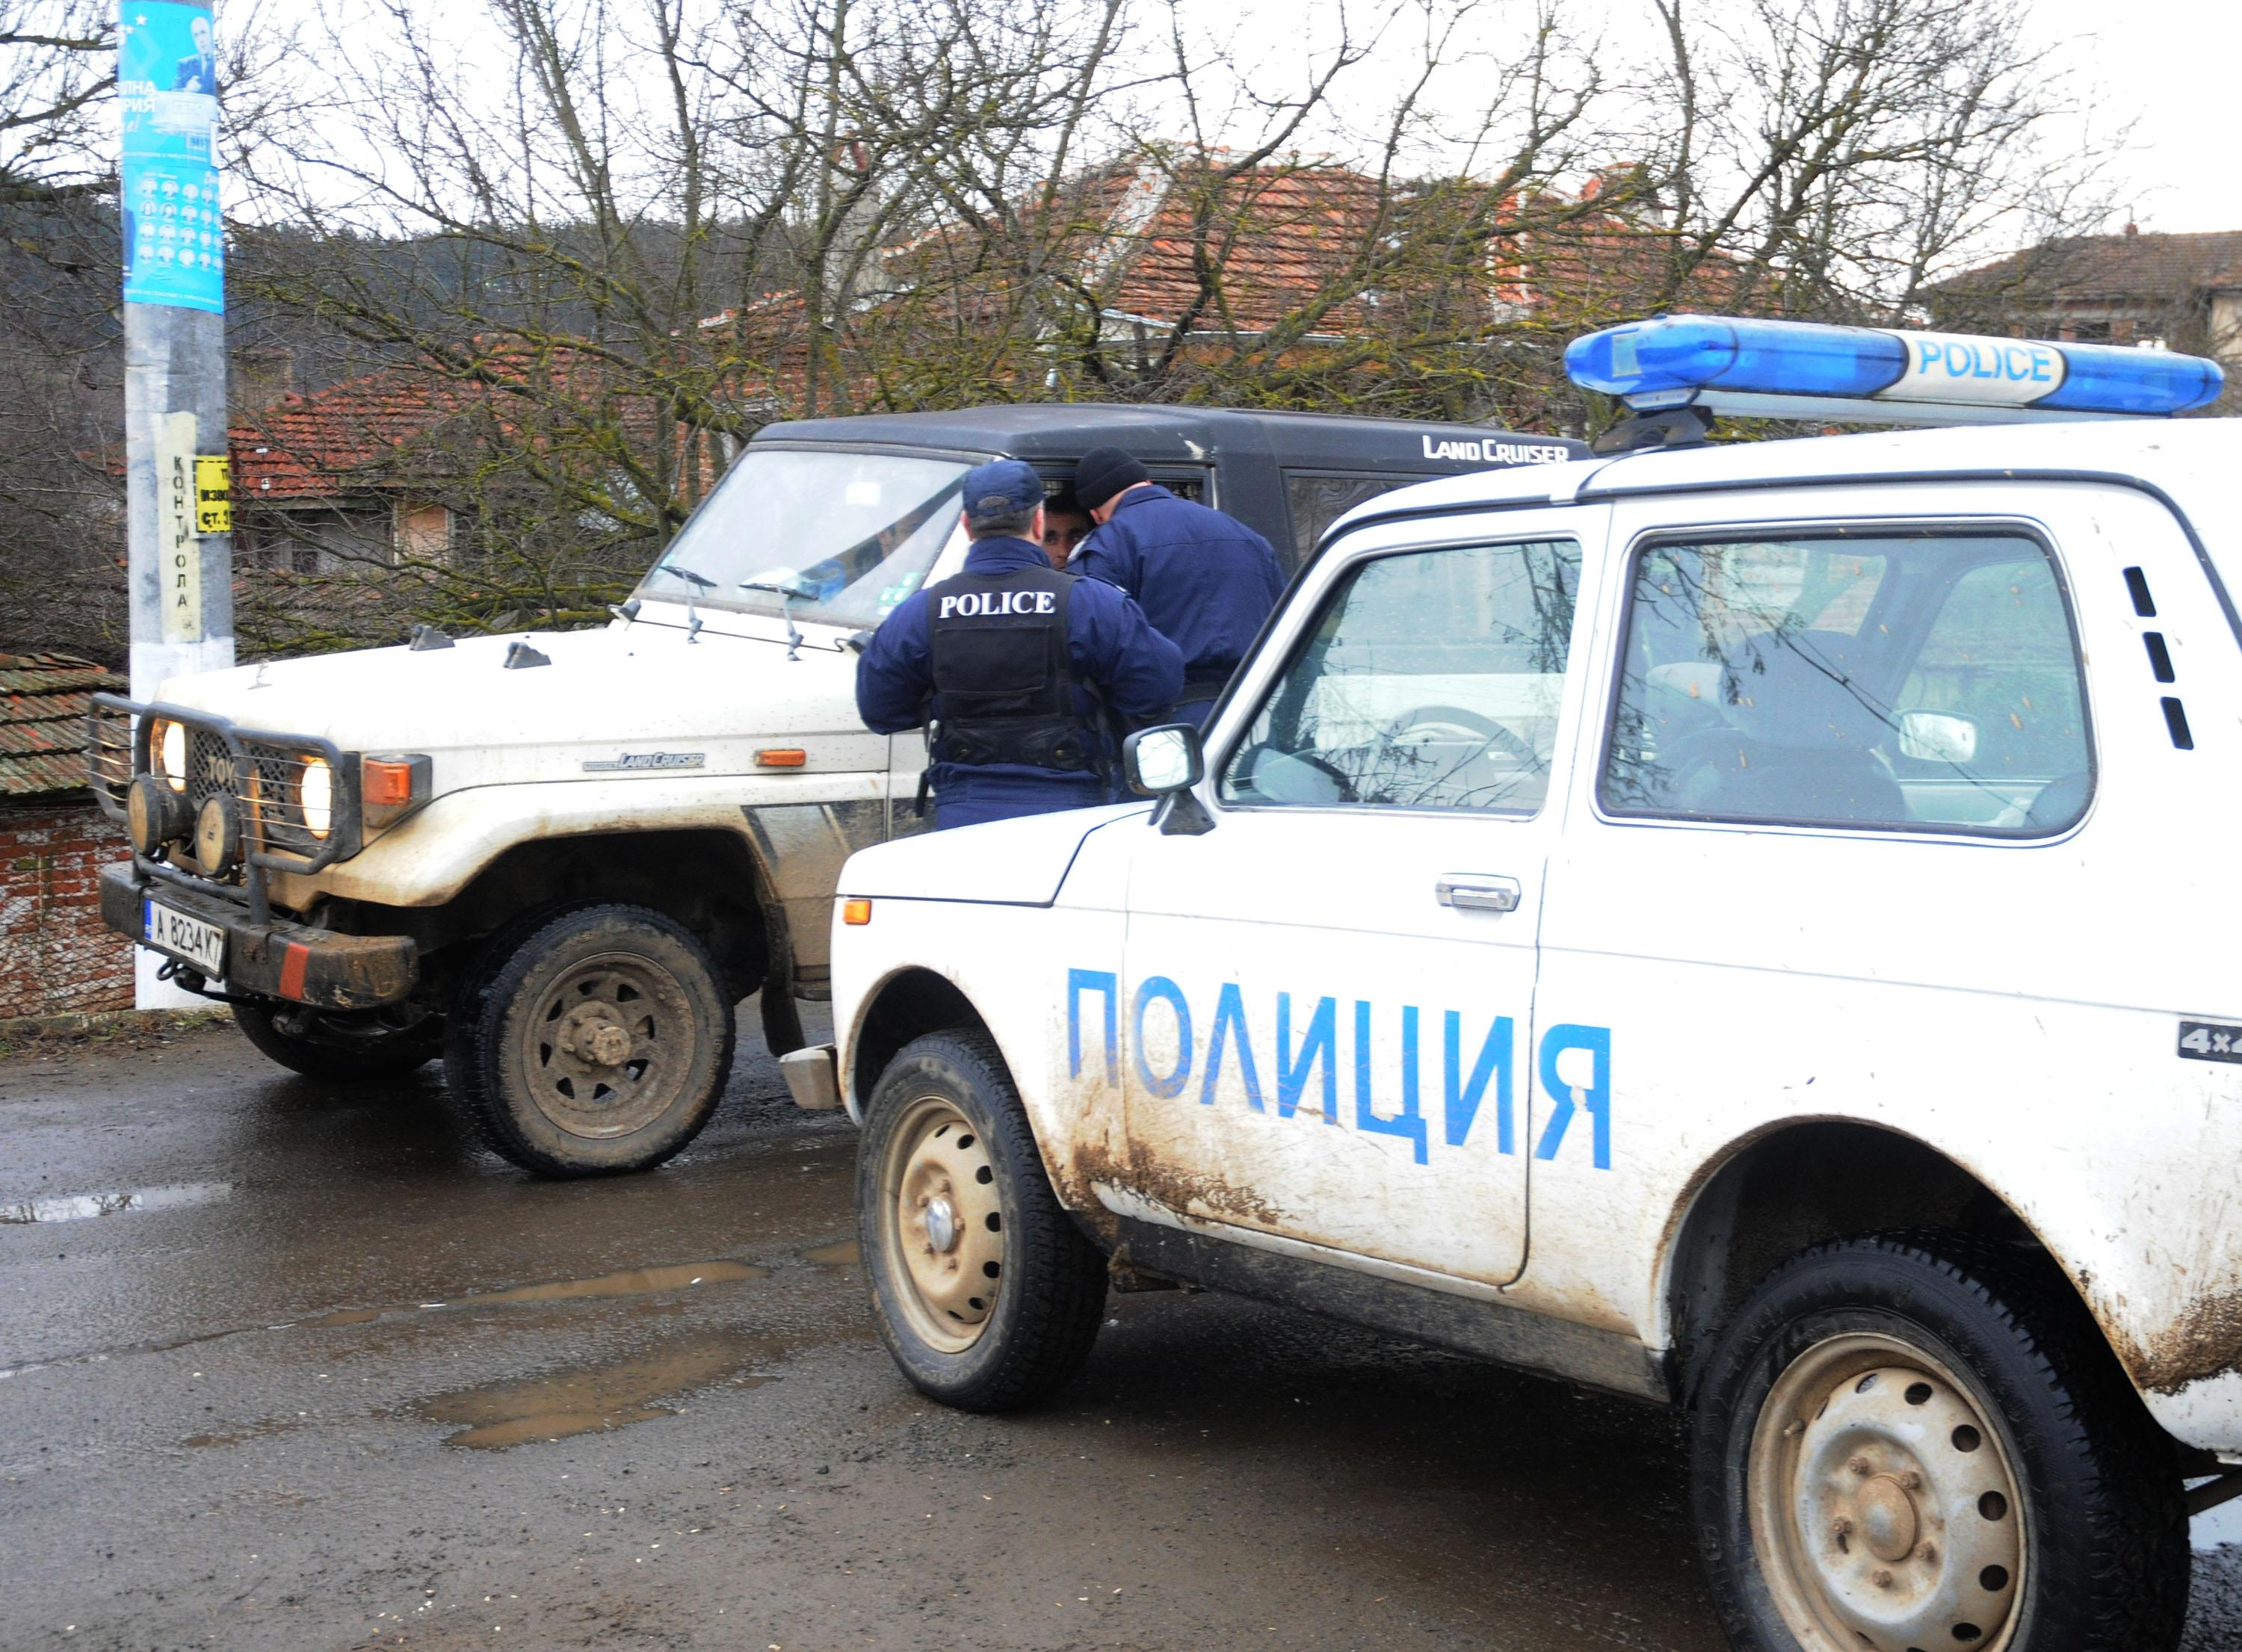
(941,1225)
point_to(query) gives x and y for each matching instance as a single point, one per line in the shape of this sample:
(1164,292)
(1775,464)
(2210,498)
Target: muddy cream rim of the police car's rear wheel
(1884,1503)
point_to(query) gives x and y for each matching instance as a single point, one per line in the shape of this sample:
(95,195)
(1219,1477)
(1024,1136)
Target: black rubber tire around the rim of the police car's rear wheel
(2100,1481)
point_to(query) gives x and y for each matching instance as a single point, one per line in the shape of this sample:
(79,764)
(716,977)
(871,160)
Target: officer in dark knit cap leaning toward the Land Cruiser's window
(1203,579)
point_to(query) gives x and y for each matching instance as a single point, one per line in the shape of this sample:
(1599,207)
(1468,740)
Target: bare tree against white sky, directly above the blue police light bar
(1833,158)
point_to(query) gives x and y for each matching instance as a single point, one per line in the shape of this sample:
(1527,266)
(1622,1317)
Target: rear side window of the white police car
(1907,683)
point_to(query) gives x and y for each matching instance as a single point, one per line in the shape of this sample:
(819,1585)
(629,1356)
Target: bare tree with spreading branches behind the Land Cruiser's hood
(633,230)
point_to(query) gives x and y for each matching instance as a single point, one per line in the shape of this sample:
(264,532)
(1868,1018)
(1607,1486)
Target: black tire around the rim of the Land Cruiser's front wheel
(490,1046)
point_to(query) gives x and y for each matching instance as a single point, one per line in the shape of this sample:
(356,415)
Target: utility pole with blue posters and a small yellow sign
(178,514)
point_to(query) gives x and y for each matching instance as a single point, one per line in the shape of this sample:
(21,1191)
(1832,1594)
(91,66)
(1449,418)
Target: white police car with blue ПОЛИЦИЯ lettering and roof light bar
(1745,927)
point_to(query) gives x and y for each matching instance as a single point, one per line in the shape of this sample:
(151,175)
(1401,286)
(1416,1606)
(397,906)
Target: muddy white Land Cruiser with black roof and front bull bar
(562,860)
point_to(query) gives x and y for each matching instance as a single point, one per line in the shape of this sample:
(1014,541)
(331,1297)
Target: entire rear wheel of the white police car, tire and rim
(1918,1442)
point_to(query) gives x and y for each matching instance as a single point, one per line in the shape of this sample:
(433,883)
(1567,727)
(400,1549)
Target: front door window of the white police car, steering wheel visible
(1432,680)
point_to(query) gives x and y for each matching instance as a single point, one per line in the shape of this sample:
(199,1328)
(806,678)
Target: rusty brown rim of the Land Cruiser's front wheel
(609,1046)
